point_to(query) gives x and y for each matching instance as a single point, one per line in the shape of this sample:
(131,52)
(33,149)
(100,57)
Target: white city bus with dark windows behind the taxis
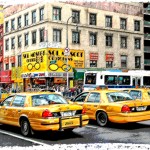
(116,80)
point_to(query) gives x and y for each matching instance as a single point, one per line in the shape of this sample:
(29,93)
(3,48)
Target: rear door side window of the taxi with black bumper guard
(19,101)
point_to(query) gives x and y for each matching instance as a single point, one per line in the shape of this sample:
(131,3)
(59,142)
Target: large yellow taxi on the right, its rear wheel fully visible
(107,106)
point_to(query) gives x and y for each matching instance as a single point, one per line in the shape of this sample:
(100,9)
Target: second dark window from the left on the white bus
(110,79)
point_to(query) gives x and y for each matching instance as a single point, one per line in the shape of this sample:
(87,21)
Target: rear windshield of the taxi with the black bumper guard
(46,99)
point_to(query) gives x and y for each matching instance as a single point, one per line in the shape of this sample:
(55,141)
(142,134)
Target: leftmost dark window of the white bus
(90,78)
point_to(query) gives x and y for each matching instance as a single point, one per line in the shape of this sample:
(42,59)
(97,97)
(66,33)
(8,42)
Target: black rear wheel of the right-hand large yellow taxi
(102,119)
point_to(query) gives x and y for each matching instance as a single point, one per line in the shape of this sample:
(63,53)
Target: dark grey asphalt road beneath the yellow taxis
(136,133)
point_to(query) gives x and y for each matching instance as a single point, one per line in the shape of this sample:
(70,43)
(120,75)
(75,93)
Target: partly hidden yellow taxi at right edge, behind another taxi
(139,93)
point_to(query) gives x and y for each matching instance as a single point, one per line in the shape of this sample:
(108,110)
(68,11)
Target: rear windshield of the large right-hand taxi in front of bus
(118,96)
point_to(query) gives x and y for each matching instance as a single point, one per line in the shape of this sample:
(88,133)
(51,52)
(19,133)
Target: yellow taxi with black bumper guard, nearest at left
(41,111)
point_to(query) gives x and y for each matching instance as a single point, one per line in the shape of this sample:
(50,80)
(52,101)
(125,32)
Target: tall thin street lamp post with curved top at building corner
(67,48)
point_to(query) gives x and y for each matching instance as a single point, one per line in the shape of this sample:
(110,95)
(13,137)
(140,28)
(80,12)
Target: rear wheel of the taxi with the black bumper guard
(25,127)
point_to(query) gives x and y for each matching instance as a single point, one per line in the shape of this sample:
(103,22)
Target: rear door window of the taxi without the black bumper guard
(94,98)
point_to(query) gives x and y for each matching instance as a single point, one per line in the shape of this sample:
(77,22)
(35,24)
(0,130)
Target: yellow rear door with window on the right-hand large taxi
(92,103)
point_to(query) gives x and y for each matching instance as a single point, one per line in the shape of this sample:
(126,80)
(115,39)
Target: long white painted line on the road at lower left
(24,138)
